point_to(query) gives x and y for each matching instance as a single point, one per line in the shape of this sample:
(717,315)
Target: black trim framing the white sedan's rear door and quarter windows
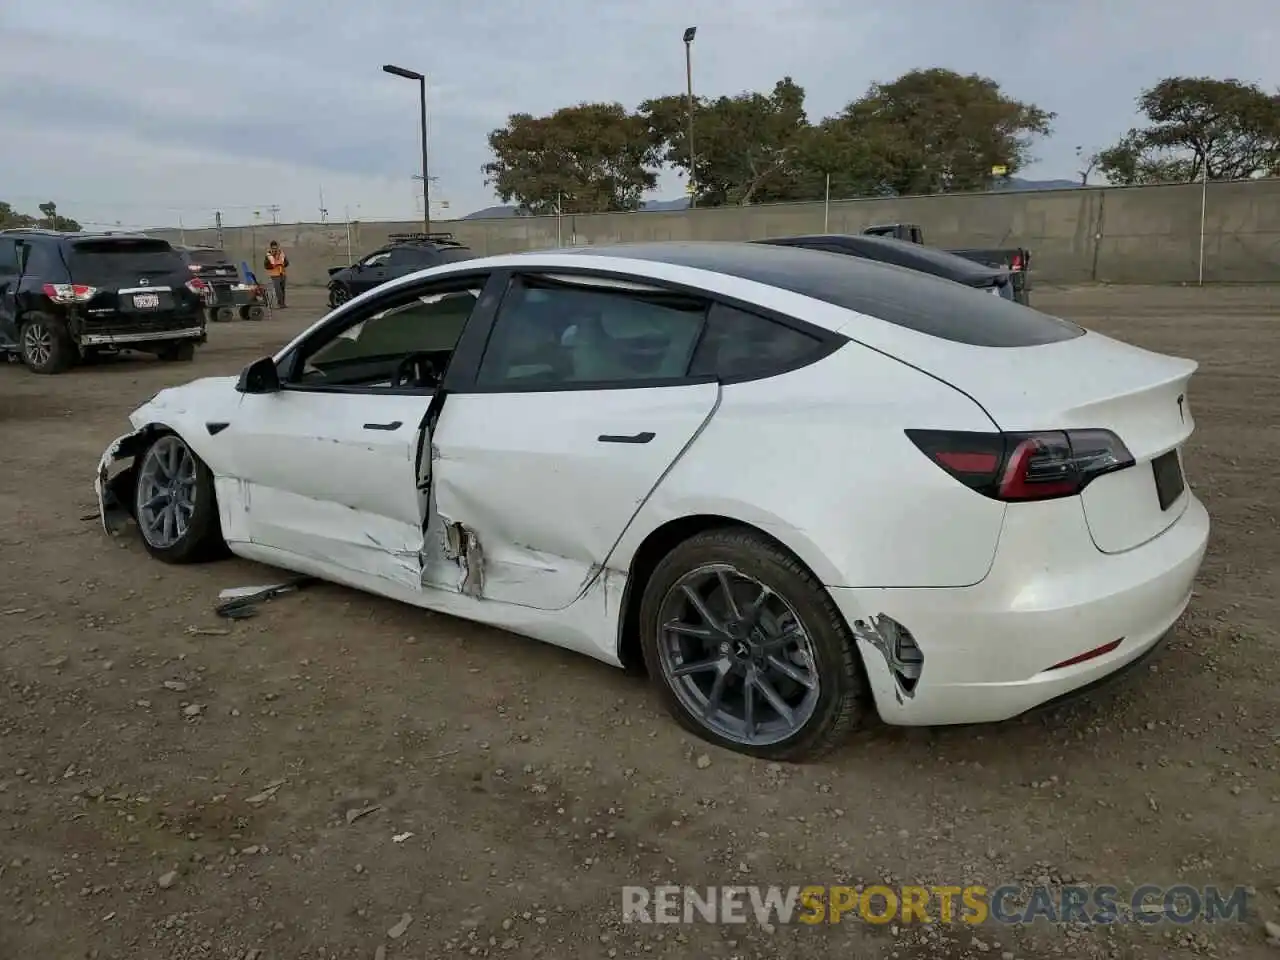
(467,381)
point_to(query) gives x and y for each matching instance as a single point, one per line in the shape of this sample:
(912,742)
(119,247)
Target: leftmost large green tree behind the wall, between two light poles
(587,158)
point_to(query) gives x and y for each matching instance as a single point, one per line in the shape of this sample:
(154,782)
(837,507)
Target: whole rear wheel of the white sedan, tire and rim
(748,650)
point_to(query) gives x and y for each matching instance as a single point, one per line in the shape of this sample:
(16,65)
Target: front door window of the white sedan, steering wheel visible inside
(373,351)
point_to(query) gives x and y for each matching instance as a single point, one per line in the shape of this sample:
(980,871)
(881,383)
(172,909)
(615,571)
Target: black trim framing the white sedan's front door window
(482,318)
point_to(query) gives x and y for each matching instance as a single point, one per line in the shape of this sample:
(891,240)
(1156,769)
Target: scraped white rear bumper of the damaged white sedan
(989,650)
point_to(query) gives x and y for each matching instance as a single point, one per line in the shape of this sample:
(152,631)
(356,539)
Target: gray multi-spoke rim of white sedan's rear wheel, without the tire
(738,656)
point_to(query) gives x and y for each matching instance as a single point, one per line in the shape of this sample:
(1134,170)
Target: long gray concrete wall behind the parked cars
(1116,235)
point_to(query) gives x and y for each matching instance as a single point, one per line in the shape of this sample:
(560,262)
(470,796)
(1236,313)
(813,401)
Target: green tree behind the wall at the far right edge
(1199,126)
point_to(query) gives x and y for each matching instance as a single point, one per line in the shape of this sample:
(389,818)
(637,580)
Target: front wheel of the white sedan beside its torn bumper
(175,504)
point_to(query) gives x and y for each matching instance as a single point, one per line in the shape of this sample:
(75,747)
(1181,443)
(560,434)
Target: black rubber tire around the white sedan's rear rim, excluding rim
(843,691)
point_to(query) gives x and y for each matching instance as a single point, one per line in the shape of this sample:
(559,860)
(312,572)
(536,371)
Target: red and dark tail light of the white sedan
(1025,467)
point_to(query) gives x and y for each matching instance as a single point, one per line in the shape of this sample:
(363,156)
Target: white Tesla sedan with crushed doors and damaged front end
(792,484)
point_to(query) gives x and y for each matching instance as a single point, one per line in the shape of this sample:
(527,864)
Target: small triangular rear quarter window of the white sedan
(740,345)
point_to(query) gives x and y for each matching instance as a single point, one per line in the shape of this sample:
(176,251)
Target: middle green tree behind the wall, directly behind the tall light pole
(746,147)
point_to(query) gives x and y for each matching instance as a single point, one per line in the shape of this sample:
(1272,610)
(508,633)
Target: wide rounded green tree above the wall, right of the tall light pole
(938,131)
